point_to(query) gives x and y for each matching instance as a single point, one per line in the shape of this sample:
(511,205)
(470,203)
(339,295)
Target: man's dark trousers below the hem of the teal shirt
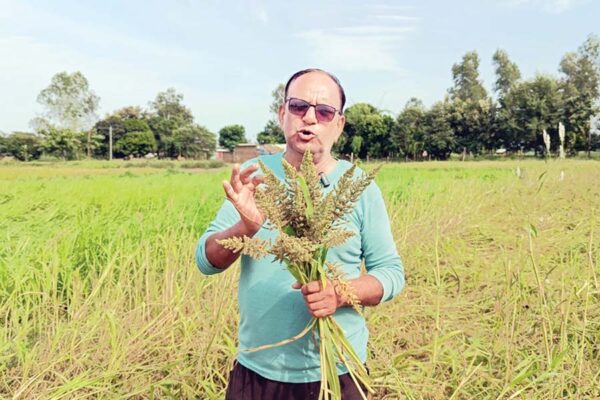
(245,384)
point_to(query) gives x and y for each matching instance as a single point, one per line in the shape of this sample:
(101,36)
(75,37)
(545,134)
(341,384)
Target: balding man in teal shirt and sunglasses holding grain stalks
(271,307)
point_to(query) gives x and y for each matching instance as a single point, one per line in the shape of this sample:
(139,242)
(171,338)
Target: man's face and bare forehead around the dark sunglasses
(302,132)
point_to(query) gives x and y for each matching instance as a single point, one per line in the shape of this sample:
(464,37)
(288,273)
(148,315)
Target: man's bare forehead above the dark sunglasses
(315,86)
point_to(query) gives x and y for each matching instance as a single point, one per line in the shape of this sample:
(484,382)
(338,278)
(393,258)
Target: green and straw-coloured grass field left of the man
(99,295)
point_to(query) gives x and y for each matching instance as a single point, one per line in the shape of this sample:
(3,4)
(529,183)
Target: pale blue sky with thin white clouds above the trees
(226,57)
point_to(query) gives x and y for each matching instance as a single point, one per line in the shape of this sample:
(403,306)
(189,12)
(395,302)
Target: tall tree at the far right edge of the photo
(581,87)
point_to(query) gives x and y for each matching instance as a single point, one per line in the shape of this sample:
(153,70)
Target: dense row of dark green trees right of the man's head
(471,121)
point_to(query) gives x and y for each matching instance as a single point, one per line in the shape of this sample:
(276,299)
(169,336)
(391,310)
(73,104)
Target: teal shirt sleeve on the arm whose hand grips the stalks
(378,247)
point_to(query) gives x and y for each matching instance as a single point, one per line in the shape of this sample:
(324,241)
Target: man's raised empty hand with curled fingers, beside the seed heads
(240,191)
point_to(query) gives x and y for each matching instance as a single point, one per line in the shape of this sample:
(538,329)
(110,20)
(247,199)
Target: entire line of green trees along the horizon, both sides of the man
(468,121)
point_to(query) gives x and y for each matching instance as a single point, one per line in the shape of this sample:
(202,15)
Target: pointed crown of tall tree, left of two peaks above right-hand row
(467,86)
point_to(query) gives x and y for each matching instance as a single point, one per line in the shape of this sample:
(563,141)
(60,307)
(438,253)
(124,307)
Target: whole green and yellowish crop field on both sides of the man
(100,297)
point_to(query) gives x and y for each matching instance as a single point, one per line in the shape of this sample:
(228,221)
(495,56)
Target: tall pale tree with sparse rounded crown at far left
(69,102)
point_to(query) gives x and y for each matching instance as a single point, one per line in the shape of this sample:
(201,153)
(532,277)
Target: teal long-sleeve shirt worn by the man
(271,311)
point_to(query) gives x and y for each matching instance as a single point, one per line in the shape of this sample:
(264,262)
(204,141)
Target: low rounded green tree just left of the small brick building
(194,141)
